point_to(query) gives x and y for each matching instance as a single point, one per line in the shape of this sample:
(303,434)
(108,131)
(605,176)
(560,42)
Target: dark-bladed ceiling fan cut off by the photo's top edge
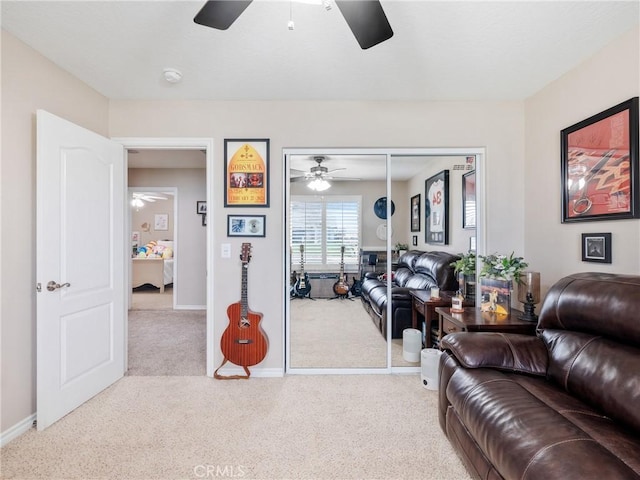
(365,18)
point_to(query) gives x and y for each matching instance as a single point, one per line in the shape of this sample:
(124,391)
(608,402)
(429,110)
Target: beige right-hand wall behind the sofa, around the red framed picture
(608,78)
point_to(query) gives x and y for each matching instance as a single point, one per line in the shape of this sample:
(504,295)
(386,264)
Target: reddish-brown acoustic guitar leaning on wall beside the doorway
(243,343)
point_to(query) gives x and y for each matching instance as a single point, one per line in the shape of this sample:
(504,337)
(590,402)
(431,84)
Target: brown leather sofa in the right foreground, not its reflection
(564,404)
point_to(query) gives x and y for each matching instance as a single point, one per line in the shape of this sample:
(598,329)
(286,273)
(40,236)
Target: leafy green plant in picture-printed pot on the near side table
(496,281)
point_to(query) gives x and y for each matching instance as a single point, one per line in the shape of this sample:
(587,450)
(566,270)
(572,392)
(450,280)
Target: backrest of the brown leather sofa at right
(589,322)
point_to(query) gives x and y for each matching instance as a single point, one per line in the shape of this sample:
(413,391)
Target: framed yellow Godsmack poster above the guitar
(246,172)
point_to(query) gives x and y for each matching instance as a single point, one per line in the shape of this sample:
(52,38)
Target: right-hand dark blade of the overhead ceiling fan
(367,21)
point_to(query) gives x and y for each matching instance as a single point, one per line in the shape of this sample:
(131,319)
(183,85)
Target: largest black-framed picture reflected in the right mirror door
(436,190)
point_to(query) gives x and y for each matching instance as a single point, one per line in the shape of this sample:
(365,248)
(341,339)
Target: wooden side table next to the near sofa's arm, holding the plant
(473,320)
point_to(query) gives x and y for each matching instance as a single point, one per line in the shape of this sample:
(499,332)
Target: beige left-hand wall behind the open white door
(29,82)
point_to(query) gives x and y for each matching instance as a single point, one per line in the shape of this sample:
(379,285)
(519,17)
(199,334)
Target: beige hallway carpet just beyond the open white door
(167,342)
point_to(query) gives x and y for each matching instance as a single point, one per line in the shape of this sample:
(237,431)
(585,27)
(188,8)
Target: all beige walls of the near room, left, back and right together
(29,82)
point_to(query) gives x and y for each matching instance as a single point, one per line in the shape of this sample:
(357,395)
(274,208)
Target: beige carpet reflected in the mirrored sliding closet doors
(338,334)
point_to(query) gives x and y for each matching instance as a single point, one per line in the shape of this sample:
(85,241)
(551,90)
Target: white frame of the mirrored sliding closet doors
(390,153)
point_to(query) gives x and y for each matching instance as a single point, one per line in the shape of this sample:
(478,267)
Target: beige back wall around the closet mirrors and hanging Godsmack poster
(497,126)
